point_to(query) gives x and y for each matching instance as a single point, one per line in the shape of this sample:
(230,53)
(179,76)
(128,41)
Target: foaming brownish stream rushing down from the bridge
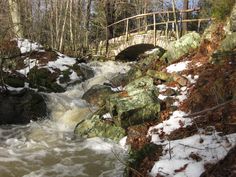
(48,147)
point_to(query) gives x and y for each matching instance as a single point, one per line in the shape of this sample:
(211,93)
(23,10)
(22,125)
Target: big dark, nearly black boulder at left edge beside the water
(21,107)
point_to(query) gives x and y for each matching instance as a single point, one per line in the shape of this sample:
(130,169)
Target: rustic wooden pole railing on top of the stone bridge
(156,16)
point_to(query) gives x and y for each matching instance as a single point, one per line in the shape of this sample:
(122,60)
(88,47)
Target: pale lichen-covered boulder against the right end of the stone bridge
(184,45)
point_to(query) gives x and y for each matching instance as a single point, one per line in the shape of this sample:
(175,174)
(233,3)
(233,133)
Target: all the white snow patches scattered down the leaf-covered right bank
(186,157)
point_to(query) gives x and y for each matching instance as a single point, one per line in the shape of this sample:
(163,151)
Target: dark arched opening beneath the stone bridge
(133,52)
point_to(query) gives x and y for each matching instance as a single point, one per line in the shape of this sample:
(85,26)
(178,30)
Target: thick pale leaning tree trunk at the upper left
(15,16)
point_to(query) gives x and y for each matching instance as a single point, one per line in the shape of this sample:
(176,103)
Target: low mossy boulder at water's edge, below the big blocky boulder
(96,127)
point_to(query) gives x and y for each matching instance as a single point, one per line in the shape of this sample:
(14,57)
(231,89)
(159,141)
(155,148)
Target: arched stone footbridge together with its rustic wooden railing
(136,41)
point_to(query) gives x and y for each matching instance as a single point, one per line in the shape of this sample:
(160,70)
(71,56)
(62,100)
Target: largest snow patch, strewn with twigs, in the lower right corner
(189,155)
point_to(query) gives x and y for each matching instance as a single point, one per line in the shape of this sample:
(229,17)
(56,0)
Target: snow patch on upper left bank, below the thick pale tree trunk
(25,45)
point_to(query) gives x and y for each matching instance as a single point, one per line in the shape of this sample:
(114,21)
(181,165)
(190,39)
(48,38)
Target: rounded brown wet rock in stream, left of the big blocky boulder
(97,94)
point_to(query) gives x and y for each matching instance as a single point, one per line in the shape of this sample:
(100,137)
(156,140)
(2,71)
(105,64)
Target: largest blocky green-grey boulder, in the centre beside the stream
(137,104)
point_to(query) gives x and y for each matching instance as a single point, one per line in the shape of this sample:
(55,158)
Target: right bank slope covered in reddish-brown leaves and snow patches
(202,131)
